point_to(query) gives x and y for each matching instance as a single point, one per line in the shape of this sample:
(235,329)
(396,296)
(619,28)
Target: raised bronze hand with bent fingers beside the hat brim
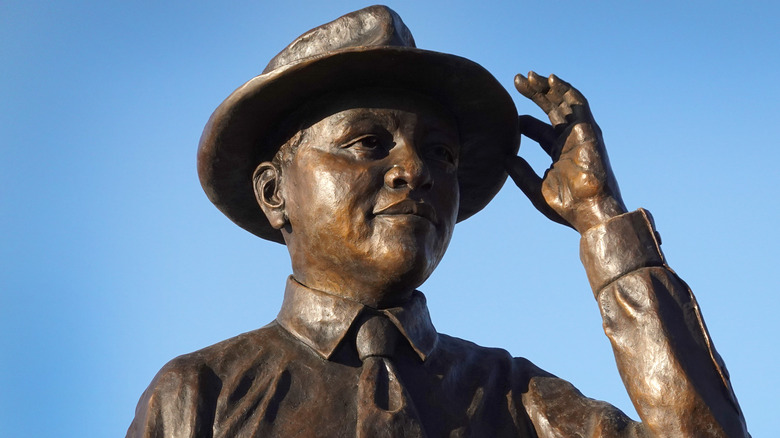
(579,189)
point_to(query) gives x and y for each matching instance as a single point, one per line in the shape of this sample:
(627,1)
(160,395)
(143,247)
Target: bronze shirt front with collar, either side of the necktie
(298,377)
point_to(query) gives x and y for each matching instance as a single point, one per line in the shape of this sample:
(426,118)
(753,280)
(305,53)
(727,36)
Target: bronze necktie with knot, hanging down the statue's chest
(384,406)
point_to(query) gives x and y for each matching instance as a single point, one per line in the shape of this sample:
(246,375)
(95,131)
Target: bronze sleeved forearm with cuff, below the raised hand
(671,370)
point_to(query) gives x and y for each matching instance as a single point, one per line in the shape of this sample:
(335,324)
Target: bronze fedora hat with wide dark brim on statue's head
(371,47)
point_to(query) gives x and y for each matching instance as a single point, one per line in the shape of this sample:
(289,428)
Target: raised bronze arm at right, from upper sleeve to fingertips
(675,378)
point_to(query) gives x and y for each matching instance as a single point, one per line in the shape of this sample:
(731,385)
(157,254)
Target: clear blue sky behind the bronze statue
(112,260)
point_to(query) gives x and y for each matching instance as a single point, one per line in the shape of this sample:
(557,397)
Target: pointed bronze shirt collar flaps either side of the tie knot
(321,320)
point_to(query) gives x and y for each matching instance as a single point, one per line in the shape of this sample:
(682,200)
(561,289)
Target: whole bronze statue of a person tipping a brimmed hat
(360,152)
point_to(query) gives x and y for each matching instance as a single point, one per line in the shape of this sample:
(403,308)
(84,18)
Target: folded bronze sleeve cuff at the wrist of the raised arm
(621,245)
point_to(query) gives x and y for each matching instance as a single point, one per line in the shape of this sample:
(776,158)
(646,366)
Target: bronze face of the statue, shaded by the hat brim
(371,196)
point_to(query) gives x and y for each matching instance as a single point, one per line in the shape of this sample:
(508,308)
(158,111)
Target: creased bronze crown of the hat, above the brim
(374,26)
